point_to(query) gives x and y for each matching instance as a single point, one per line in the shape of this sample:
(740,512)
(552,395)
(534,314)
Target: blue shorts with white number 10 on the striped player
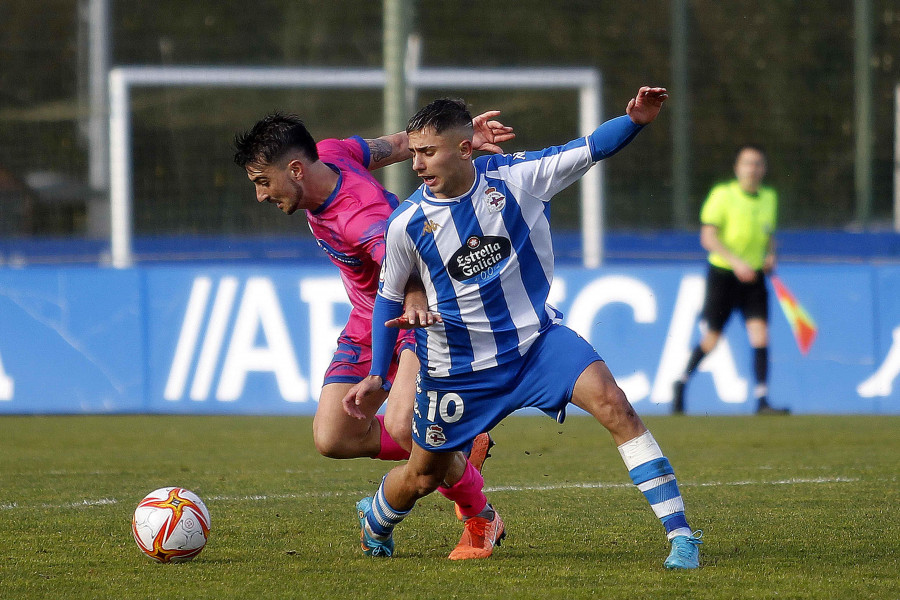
(451,411)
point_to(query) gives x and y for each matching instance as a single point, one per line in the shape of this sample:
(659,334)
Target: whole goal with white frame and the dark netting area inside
(170,133)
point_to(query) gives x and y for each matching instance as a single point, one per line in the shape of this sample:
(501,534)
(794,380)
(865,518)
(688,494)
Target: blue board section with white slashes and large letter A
(240,340)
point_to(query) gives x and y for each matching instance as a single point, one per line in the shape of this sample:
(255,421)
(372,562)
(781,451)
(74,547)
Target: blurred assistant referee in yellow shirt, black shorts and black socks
(737,225)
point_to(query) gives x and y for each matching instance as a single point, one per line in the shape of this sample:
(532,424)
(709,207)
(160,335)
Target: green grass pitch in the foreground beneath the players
(795,507)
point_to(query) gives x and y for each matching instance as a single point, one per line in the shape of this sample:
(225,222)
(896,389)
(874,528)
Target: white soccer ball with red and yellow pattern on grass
(171,525)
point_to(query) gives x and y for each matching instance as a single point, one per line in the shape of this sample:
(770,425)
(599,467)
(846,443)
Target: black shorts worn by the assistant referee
(725,292)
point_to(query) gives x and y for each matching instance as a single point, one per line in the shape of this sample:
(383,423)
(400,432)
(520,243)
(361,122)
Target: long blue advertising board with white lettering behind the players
(257,339)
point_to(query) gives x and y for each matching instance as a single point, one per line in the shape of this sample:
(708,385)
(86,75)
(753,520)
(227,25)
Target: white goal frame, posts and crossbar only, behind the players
(122,79)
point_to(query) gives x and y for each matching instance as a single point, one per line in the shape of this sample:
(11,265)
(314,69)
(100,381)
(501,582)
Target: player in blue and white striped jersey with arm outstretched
(477,232)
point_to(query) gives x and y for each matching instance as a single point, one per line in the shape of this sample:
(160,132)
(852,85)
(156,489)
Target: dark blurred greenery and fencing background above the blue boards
(777,73)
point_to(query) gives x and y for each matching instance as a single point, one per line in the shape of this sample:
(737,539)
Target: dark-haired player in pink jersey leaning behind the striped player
(347,210)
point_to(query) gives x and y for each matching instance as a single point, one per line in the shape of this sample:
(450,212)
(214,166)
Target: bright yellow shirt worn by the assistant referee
(745,222)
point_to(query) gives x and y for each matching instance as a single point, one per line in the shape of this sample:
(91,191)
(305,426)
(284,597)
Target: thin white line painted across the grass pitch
(502,488)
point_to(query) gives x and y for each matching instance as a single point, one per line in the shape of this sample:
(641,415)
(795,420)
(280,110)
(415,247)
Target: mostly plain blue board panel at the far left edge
(71,341)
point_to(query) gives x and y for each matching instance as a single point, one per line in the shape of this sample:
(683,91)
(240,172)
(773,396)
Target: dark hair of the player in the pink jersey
(271,138)
